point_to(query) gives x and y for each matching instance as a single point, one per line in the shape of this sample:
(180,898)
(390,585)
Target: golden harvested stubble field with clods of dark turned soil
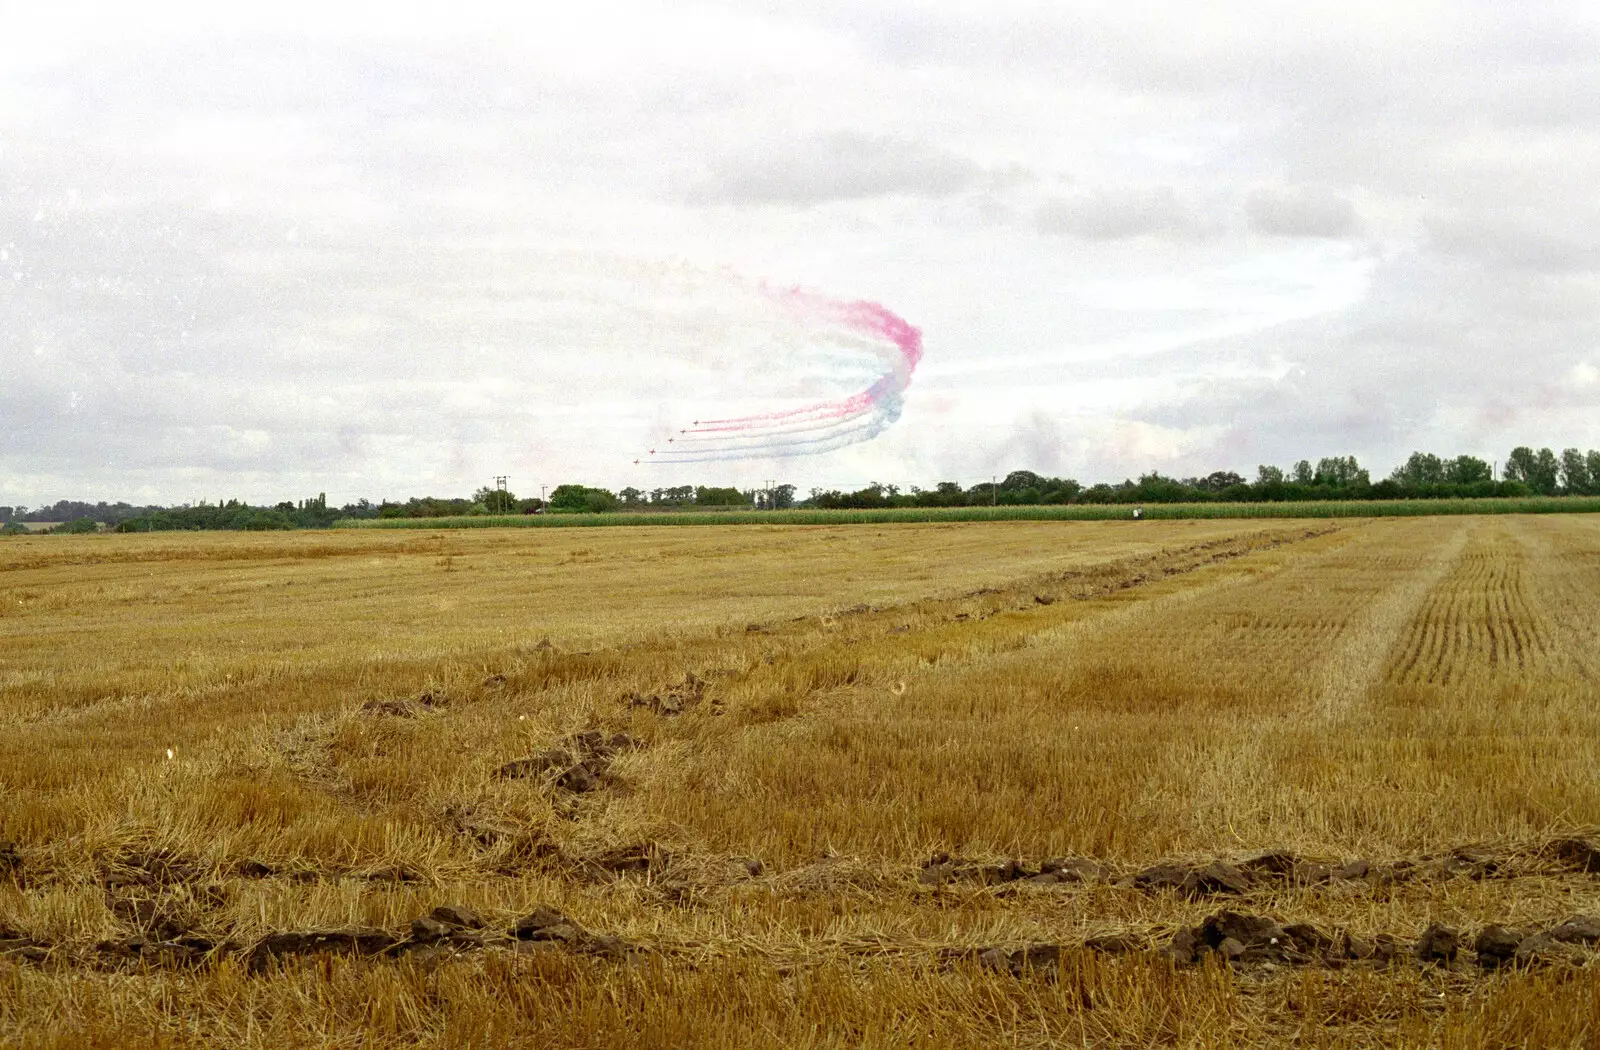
(1058,783)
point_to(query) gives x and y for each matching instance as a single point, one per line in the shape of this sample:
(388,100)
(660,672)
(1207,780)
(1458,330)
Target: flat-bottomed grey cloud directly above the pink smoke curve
(839,166)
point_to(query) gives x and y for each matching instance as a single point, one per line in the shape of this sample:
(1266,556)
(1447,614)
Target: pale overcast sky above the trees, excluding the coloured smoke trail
(386,250)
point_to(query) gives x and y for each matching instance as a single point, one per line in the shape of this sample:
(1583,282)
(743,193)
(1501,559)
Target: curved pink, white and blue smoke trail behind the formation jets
(823,427)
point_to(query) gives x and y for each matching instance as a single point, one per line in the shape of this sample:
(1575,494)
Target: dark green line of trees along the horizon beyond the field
(1423,476)
